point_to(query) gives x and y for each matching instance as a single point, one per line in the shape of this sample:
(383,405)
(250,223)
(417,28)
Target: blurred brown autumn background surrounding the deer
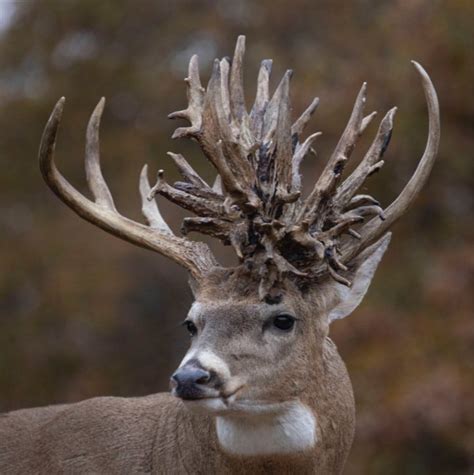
(83,314)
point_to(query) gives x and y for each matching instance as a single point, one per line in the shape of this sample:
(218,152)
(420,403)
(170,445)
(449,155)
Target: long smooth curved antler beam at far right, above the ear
(375,228)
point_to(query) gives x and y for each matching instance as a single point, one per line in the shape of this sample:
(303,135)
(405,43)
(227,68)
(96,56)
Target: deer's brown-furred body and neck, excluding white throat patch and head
(158,434)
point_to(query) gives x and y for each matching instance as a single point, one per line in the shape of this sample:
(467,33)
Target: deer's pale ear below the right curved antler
(348,298)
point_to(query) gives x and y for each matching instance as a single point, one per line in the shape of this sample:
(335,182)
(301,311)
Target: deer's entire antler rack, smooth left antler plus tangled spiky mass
(256,202)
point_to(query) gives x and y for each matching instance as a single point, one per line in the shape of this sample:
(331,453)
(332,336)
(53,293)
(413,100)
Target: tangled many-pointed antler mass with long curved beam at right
(257,155)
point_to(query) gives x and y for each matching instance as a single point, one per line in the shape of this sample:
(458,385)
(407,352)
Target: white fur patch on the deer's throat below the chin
(291,430)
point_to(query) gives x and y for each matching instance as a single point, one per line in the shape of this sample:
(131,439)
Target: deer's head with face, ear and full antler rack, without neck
(259,329)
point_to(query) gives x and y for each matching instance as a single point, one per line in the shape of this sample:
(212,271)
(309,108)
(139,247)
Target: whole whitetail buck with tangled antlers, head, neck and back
(262,388)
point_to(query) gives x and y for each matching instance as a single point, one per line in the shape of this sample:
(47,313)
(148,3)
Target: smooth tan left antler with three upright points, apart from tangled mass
(196,257)
